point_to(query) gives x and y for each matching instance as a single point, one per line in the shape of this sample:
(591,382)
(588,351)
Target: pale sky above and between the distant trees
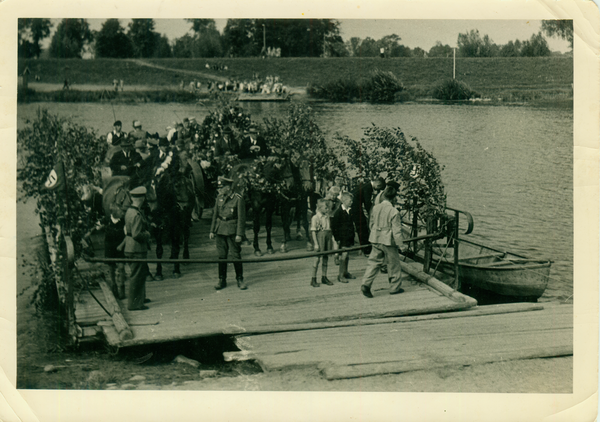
(413,32)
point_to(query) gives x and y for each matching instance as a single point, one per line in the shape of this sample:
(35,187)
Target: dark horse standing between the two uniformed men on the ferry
(176,200)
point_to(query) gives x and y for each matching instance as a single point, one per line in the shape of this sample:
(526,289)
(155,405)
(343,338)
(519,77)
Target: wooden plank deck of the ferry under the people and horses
(279,297)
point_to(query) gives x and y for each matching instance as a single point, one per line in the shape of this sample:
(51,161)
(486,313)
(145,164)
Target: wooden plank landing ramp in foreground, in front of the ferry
(484,334)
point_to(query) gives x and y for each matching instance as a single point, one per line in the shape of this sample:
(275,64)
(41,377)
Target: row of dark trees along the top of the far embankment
(258,37)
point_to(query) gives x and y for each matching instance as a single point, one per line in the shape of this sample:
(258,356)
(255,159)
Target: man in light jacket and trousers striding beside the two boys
(386,238)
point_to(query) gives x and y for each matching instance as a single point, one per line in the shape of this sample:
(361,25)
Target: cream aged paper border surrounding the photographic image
(69,405)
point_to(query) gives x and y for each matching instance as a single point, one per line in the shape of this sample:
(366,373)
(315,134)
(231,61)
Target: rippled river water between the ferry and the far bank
(510,167)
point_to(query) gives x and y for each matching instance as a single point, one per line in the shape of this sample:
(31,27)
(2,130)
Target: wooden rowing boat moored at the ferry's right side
(499,272)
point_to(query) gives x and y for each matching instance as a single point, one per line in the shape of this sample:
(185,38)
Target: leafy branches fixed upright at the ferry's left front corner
(41,144)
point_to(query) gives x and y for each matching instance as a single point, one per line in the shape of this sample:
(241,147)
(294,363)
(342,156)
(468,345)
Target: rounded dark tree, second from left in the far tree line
(70,38)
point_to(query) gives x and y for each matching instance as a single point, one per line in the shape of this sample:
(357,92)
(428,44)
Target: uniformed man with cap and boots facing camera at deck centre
(228,227)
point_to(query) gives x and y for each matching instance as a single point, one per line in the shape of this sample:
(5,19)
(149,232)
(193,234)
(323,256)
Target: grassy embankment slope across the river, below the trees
(499,79)
